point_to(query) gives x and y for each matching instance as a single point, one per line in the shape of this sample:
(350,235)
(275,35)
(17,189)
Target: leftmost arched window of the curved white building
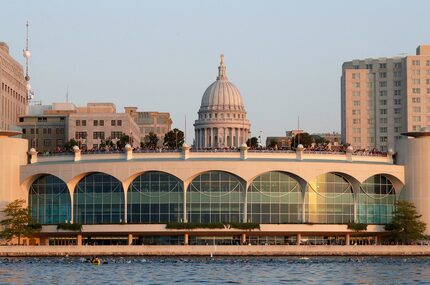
(49,200)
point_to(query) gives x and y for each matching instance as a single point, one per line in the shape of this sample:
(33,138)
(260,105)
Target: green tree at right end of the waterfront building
(406,225)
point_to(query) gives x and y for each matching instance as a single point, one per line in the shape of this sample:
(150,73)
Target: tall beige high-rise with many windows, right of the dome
(384,97)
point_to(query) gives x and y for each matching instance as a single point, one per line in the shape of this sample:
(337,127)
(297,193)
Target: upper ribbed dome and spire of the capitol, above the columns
(222,94)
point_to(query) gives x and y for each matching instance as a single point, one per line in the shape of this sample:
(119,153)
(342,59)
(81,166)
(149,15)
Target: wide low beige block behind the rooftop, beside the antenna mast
(49,127)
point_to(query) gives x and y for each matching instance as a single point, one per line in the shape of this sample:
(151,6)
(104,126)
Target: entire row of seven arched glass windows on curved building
(215,196)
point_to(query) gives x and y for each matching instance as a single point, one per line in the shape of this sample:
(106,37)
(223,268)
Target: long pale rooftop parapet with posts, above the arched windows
(229,153)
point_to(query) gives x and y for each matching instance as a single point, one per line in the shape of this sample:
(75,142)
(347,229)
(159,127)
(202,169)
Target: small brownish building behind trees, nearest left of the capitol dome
(158,123)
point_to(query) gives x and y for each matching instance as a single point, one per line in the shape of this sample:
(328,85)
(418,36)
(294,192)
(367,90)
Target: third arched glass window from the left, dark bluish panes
(155,197)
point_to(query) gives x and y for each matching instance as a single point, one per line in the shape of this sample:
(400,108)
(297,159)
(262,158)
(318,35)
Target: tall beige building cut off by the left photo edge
(13,91)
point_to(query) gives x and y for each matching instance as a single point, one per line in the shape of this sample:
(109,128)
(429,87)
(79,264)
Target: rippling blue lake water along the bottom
(217,270)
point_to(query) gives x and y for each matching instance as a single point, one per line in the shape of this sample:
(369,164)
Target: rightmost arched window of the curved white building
(376,200)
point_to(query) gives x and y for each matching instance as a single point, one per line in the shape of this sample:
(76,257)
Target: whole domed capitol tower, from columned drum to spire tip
(222,118)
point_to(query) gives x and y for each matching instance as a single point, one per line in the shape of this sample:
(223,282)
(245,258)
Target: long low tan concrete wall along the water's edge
(208,250)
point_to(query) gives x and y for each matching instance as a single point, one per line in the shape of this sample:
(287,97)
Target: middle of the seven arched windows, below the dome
(215,196)
